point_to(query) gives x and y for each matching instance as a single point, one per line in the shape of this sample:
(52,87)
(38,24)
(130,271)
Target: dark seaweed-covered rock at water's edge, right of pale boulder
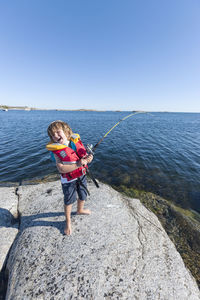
(182,226)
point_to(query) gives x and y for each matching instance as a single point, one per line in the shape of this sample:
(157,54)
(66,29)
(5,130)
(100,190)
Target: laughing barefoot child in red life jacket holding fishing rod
(71,161)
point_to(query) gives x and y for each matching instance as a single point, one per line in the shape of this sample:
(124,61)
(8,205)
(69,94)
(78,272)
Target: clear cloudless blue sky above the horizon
(105,55)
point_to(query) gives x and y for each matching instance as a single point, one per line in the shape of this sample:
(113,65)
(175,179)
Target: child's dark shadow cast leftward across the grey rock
(8,220)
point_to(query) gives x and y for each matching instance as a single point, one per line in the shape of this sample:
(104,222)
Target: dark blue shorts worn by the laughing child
(71,189)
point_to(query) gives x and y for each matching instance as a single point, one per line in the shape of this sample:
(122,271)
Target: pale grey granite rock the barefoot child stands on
(121,251)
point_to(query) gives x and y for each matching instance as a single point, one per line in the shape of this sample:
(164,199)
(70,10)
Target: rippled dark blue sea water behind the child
(156,152)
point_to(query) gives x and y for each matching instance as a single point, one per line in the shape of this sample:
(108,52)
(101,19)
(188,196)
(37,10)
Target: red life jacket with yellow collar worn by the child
(68,155)
